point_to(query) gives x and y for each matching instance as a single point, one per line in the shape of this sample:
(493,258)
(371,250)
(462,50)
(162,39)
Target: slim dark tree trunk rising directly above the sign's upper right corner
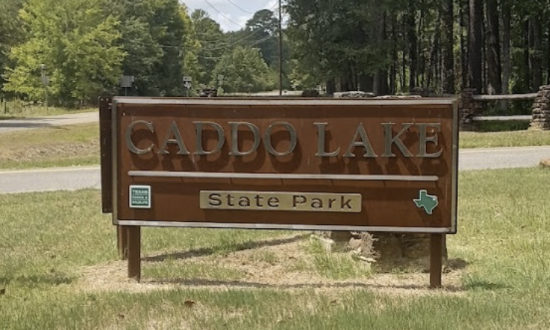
(448,43)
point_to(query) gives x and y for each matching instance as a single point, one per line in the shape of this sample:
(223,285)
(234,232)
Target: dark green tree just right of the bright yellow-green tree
(152,35)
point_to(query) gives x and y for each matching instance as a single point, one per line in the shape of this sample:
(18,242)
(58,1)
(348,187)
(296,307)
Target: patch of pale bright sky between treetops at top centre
(231,14)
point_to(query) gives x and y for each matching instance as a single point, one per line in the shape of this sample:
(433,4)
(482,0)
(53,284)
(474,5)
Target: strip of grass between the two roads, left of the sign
(49,147)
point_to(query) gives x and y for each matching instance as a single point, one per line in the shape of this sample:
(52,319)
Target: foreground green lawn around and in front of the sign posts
(47,239)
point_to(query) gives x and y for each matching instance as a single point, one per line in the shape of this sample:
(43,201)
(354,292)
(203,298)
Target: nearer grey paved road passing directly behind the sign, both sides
(89,177)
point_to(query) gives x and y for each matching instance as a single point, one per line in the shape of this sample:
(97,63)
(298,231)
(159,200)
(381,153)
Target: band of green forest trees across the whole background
(76,50)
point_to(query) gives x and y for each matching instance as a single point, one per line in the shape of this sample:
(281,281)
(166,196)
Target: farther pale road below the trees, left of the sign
(11,125)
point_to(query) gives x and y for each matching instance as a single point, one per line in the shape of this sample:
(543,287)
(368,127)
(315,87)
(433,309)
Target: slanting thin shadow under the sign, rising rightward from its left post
(238,247)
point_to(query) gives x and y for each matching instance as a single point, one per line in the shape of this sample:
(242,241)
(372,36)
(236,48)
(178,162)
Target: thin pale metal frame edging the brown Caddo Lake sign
(262,101)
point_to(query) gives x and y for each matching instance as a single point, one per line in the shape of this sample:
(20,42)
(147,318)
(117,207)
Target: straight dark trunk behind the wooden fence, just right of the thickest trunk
(494,70)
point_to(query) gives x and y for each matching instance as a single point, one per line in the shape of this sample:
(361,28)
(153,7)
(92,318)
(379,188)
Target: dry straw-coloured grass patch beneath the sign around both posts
(249,270)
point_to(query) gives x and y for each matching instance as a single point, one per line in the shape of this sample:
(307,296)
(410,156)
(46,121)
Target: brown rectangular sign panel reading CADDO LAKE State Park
(375,165)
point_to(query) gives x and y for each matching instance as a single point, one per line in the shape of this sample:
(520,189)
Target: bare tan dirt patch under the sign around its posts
(282,266)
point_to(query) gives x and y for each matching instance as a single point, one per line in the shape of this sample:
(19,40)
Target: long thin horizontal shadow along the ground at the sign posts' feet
(256,285)
